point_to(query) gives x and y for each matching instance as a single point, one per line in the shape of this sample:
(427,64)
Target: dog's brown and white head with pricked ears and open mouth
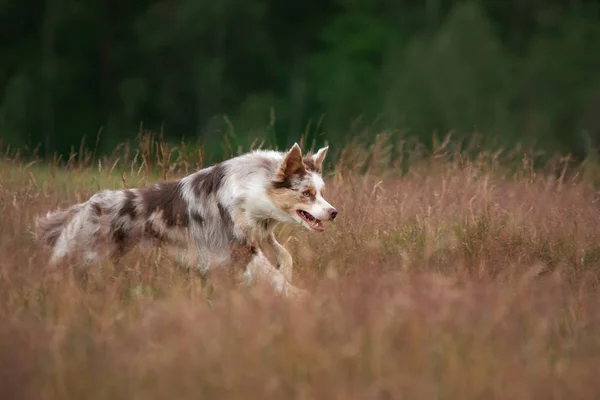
(297,189)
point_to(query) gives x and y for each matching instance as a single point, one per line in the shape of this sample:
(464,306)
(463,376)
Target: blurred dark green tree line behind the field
(513,70)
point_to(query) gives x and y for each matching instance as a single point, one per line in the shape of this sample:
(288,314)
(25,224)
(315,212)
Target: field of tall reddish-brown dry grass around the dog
(464,278)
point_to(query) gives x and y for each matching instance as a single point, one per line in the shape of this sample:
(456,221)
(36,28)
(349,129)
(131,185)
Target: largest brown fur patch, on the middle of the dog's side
(168,200)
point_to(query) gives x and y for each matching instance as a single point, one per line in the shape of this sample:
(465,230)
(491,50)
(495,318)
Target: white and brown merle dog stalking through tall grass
(223,215)
